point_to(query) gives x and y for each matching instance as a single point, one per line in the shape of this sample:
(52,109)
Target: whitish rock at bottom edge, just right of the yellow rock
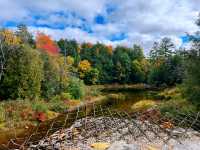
(121,145)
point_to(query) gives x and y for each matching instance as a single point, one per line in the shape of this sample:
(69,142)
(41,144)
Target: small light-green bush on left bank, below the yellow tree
(76,88)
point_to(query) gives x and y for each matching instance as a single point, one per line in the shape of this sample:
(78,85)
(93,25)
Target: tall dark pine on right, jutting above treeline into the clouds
(167,64)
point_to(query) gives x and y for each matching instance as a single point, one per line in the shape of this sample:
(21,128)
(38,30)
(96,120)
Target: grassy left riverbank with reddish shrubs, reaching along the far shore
(31,112)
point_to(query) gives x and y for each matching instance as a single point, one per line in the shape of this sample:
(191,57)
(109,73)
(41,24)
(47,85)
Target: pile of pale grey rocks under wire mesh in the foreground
(119,134)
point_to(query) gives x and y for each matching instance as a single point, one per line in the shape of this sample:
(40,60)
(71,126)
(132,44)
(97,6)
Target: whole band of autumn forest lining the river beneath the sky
(44,76)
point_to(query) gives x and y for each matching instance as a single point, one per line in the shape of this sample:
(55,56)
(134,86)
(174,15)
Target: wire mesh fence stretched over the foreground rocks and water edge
(97,121)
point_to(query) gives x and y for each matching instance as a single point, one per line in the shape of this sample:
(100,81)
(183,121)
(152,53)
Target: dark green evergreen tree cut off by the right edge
(192,80)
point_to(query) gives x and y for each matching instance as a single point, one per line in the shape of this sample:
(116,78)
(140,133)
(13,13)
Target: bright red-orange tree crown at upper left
(45,43)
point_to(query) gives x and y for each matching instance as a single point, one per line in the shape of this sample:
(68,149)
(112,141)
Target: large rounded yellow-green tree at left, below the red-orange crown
(23,74)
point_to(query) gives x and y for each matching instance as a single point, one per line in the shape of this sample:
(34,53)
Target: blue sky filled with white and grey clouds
(113,22)
